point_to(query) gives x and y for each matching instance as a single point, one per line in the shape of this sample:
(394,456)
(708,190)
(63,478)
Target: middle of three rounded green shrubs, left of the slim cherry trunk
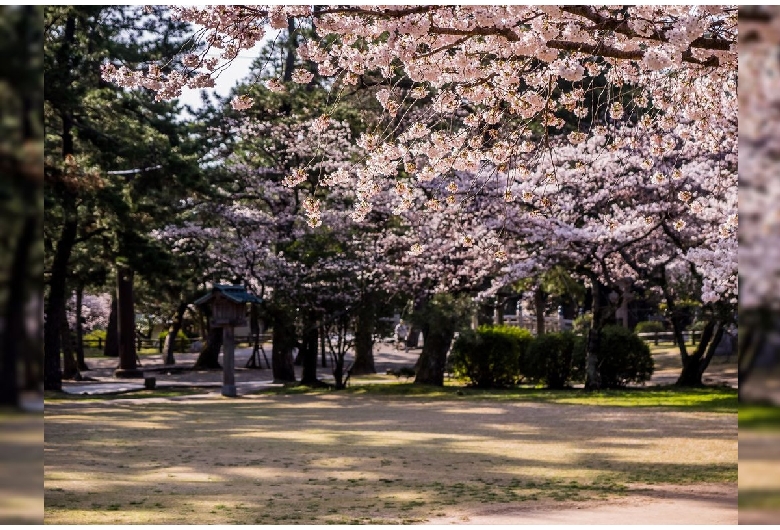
(555,359)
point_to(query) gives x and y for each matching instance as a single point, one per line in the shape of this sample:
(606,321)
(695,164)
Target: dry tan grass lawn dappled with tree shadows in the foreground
(383,453)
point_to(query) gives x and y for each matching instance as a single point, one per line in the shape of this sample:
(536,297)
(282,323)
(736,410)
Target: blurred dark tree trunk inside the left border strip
(14,333)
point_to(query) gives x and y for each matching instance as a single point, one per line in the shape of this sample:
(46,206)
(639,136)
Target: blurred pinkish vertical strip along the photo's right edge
(759,264)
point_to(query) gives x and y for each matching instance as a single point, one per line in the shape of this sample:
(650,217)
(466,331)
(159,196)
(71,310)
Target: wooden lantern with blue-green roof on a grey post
(228,310)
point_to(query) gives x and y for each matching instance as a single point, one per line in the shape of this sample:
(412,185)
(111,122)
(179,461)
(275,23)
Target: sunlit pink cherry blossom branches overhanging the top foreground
(487,66)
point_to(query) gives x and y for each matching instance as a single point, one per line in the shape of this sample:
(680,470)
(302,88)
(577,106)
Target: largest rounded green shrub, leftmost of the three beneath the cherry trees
(490,356)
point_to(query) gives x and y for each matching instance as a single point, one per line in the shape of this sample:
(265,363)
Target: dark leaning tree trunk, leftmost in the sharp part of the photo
(52,334)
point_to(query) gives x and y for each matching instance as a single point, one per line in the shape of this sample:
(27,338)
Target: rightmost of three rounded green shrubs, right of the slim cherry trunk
(623,358)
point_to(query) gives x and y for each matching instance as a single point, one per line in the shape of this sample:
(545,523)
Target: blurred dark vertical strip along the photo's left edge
(21,264)
